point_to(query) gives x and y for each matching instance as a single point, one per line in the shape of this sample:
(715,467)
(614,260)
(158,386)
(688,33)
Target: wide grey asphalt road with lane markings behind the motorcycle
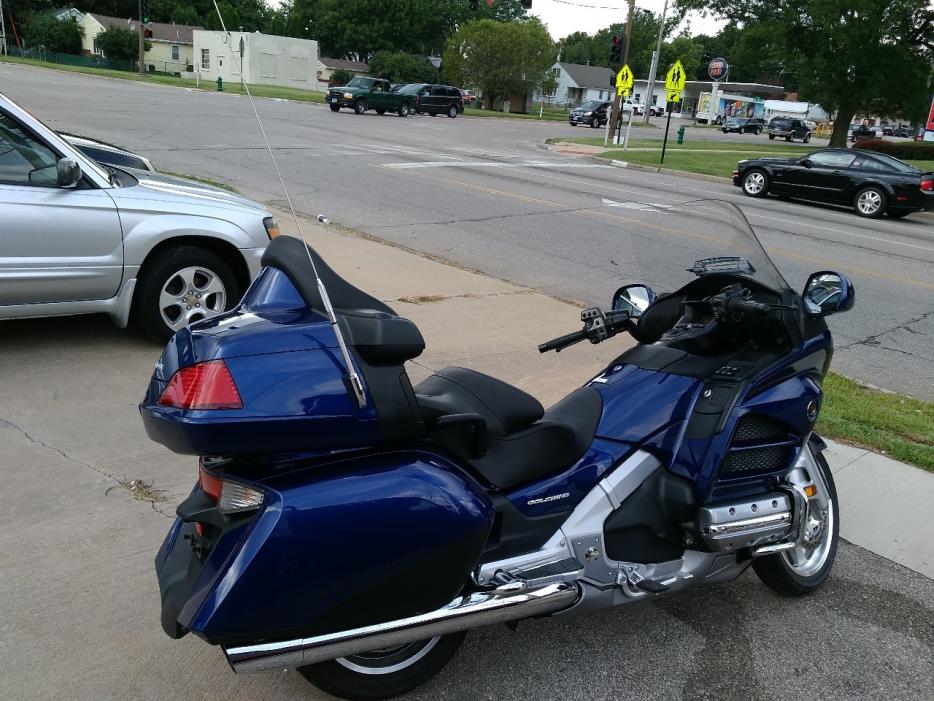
(483,193)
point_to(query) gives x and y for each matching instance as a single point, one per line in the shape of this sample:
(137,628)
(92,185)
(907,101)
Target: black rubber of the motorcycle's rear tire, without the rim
(340,680)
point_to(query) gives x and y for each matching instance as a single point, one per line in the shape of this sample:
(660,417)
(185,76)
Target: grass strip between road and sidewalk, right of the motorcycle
(898,426)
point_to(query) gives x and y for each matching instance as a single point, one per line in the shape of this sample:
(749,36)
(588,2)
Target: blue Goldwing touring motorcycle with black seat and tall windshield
(354,527)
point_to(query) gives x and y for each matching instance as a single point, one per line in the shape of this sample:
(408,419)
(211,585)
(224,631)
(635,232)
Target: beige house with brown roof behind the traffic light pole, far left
(172,49)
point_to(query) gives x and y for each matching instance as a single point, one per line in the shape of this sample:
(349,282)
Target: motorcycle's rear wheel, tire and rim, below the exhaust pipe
(382,674)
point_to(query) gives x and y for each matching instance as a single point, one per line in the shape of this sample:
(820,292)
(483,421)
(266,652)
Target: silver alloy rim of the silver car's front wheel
(190,295)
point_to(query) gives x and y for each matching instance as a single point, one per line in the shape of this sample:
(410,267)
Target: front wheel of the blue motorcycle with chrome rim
(805,567)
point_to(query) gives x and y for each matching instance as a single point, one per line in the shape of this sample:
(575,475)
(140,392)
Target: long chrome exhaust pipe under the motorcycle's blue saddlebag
(509,602)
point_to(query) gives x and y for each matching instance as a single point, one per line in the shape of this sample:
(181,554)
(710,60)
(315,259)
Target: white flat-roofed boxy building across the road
(267,59)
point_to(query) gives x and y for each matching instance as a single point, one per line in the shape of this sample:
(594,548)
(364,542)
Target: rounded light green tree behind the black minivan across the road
(499,58)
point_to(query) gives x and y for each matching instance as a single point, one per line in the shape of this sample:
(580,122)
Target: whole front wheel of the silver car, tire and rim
(180,286)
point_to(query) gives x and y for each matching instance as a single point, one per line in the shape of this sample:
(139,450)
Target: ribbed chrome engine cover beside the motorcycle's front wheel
(729,527)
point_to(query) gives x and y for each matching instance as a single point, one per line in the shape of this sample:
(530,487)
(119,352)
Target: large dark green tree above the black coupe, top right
(855,55)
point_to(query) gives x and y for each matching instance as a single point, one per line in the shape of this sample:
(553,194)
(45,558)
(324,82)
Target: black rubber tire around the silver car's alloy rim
(158,272)
